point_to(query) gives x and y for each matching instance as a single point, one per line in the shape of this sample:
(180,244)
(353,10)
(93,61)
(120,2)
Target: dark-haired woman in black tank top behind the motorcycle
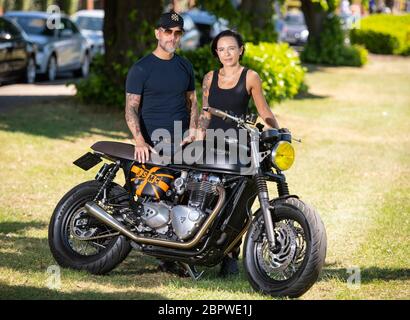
(230,89)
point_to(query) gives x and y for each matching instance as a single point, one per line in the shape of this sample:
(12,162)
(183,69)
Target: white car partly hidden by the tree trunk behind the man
(91,23)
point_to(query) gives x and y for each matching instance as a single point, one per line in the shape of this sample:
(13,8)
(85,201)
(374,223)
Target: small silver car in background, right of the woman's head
(293,30)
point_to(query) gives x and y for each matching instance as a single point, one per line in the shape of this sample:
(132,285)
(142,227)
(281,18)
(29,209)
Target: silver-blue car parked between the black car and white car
(59,48)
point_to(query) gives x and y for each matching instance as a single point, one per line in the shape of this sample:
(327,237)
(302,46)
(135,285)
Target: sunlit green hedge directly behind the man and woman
(277,64)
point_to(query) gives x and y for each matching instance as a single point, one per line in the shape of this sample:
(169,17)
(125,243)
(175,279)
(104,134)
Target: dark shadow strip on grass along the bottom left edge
(34,293)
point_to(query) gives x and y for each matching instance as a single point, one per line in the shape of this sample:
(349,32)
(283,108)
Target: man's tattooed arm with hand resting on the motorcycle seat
(132,108)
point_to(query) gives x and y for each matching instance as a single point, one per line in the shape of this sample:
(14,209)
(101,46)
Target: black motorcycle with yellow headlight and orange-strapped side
(194,213)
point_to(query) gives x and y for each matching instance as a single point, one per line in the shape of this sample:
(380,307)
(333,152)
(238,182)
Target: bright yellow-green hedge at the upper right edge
(384,34)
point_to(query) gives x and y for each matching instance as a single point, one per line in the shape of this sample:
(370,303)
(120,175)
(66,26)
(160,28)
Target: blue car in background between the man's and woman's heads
(208,25)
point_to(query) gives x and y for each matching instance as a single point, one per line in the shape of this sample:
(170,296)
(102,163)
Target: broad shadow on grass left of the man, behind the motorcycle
(65,120)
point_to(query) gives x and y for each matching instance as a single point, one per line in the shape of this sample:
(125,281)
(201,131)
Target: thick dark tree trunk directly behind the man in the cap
(128,33)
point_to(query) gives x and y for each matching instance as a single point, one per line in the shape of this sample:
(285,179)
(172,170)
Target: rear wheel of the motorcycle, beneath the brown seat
(70,222)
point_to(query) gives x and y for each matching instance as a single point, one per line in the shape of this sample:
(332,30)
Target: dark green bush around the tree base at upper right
(330,48)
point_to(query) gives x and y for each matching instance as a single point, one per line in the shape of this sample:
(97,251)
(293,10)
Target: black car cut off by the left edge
(17,54)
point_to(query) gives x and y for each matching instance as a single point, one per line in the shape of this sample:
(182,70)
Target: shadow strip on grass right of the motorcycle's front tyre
(367,275)
